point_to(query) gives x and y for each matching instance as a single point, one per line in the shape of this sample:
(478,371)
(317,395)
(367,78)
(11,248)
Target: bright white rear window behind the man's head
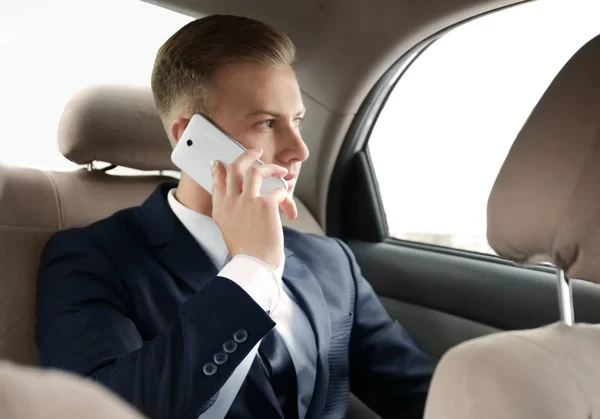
(51,49)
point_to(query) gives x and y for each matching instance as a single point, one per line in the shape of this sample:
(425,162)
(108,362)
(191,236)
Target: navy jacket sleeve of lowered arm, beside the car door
(388,371)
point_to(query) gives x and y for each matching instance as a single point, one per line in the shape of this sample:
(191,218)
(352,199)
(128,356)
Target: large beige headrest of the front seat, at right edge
(545,204)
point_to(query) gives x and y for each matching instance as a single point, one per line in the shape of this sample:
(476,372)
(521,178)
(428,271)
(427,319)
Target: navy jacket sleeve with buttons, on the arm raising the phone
(84,326)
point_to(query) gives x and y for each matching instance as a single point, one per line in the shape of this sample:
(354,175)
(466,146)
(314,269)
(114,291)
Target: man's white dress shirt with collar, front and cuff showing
(266,288)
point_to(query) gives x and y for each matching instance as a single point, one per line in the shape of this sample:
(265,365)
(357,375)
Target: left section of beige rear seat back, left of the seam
(28,217)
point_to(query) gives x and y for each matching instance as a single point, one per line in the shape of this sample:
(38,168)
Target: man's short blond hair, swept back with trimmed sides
(186,62)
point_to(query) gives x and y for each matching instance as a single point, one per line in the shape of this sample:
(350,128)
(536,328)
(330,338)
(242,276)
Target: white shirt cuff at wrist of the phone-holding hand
(255,277)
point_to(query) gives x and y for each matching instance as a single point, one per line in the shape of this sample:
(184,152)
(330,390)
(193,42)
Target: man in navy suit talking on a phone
(198,305)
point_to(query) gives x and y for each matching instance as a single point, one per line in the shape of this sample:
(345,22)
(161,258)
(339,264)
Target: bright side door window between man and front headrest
(448,124)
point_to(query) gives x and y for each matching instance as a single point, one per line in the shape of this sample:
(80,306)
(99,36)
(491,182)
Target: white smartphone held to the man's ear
(203,141)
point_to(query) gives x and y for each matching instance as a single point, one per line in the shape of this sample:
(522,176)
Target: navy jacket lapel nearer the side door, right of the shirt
(309,294)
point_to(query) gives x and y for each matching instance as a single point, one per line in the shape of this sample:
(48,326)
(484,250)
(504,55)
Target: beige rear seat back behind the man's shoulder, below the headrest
(33,205)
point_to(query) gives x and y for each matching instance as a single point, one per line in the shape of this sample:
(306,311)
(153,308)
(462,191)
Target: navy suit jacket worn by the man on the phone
(133,302)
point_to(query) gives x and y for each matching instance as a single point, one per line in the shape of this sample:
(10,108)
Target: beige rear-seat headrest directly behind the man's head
(115,124)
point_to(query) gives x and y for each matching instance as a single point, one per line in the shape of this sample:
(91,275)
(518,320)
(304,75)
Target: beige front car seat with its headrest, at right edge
(545,206)
